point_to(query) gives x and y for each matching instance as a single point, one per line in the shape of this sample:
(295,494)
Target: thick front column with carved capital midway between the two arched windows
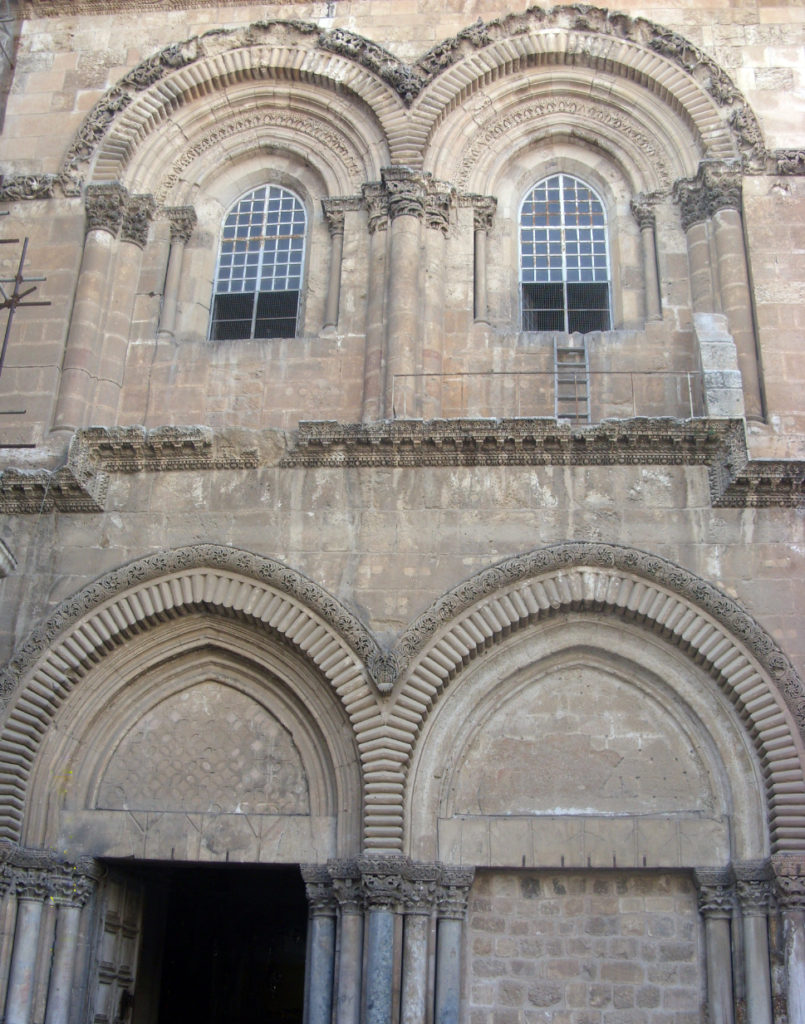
(407,192)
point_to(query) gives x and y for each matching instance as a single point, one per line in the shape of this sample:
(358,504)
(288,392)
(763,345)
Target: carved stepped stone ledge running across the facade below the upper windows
(80,485)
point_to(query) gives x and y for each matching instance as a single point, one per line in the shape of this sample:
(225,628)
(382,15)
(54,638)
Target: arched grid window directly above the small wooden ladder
(565,264)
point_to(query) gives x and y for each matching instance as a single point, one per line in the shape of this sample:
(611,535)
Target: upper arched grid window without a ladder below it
(260,273)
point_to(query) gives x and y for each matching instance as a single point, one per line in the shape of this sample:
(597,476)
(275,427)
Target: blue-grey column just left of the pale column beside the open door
(31,888)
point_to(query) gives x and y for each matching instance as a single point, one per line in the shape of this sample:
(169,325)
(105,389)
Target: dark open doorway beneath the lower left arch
(222,946)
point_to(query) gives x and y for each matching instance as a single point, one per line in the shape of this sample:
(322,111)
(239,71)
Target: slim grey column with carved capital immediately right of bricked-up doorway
(715,906)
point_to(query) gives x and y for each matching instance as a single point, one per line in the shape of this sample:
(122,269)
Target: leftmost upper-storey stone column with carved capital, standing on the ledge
(105,208)
